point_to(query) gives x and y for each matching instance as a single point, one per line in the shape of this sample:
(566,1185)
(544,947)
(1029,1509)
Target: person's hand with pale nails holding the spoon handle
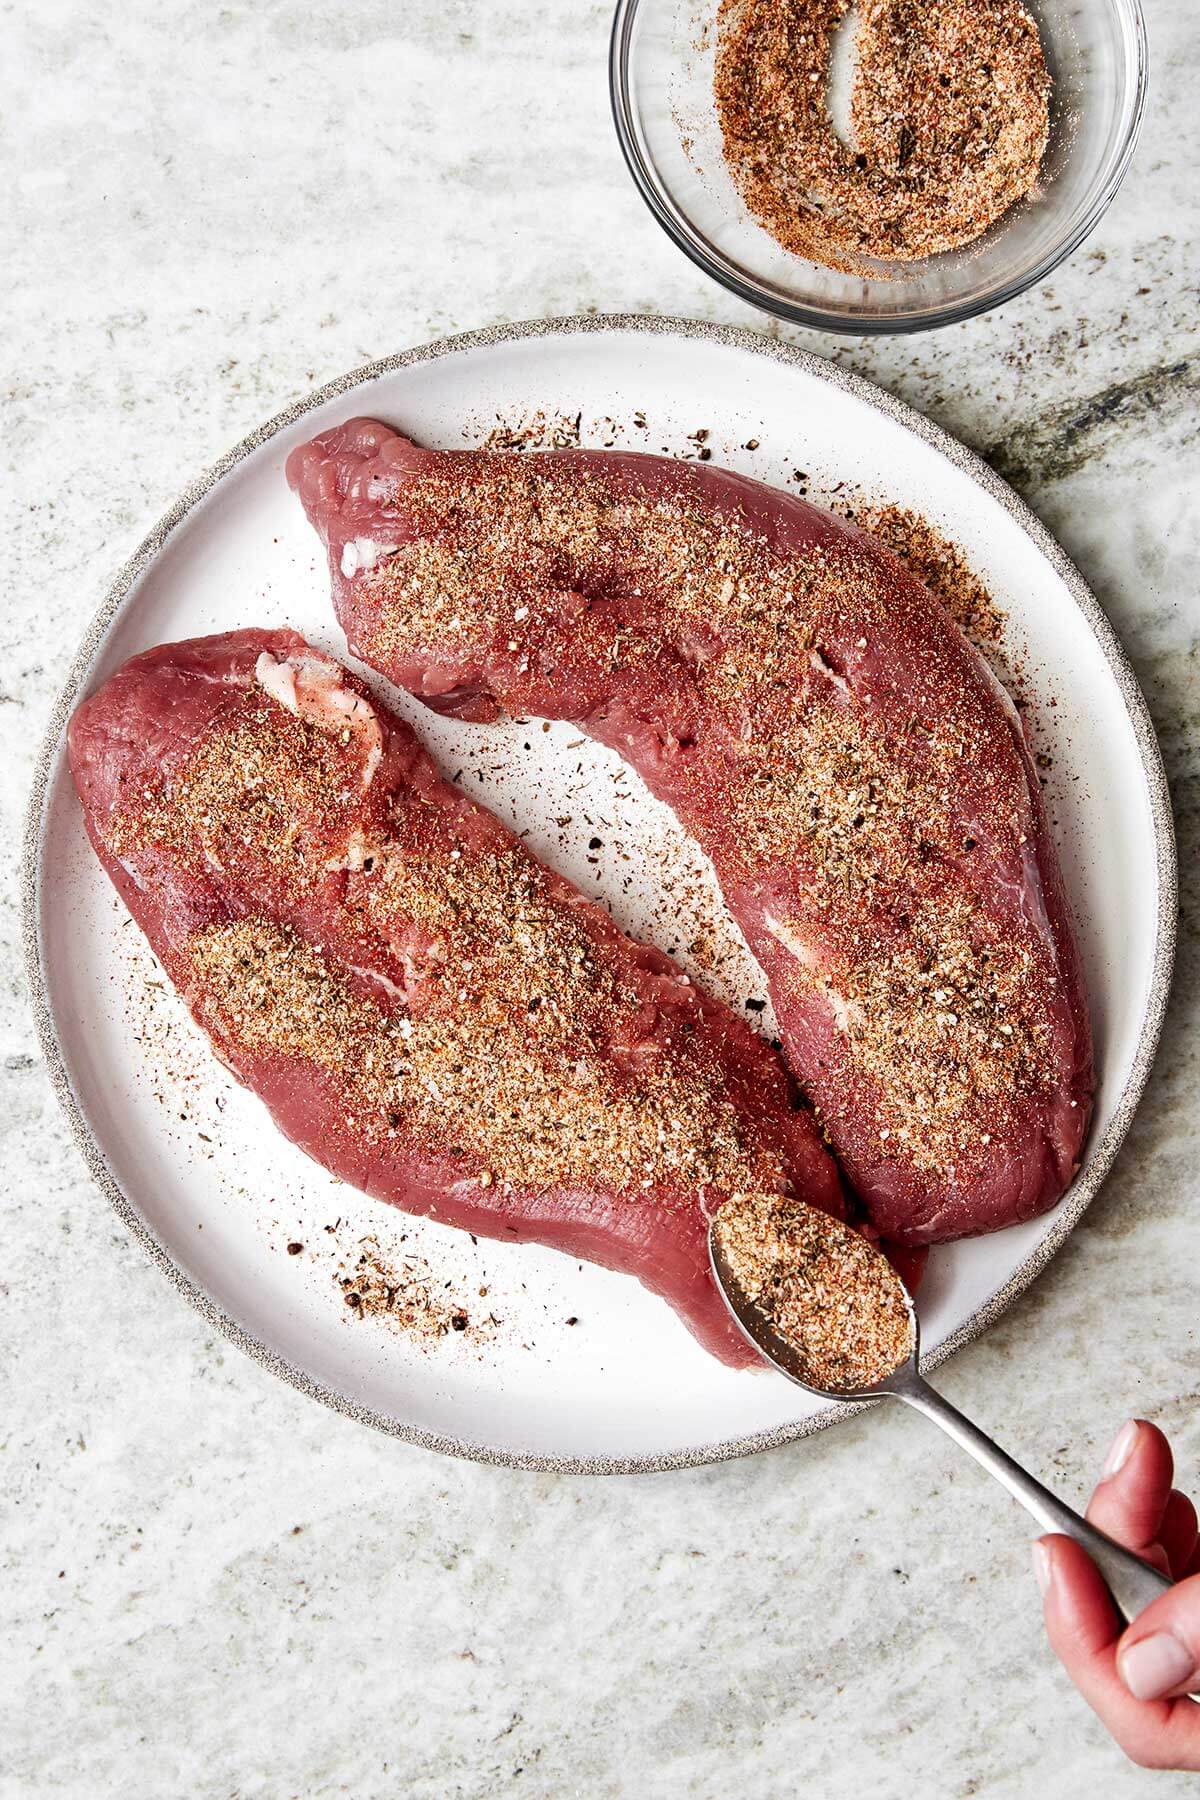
(1138,1680)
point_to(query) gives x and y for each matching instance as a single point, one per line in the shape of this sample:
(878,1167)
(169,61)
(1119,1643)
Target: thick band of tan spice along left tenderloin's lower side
(526,1092)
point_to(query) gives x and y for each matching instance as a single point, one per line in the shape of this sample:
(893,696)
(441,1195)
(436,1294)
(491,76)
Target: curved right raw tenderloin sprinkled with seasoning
(846,759)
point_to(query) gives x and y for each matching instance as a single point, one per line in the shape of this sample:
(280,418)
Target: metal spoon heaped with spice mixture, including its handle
(828,1311)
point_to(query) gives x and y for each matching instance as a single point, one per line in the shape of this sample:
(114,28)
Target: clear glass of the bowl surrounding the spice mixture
(661,73)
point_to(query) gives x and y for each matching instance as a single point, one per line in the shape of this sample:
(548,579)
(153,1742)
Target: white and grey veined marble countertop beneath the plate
(213,1587)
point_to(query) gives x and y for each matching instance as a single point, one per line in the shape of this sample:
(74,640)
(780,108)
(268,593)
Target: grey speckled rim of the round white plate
(735,337)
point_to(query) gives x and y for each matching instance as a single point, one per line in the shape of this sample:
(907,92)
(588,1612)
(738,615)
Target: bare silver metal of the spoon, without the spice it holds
(1133,1583)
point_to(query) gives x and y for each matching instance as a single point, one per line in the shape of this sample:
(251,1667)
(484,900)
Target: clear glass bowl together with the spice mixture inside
(879,165)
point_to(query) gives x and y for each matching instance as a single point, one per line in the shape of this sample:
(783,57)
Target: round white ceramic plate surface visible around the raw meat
(582,1369)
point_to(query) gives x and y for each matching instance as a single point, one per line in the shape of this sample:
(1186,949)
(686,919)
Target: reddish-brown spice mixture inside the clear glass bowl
(949,123)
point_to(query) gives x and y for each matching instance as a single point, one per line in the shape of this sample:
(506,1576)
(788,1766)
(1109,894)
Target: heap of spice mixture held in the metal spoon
(823,1288)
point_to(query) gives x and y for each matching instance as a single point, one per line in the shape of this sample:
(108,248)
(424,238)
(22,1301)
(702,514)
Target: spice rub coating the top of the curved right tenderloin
(947,1011)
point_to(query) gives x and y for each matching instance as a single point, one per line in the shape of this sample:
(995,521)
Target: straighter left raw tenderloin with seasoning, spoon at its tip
(424,1007)
